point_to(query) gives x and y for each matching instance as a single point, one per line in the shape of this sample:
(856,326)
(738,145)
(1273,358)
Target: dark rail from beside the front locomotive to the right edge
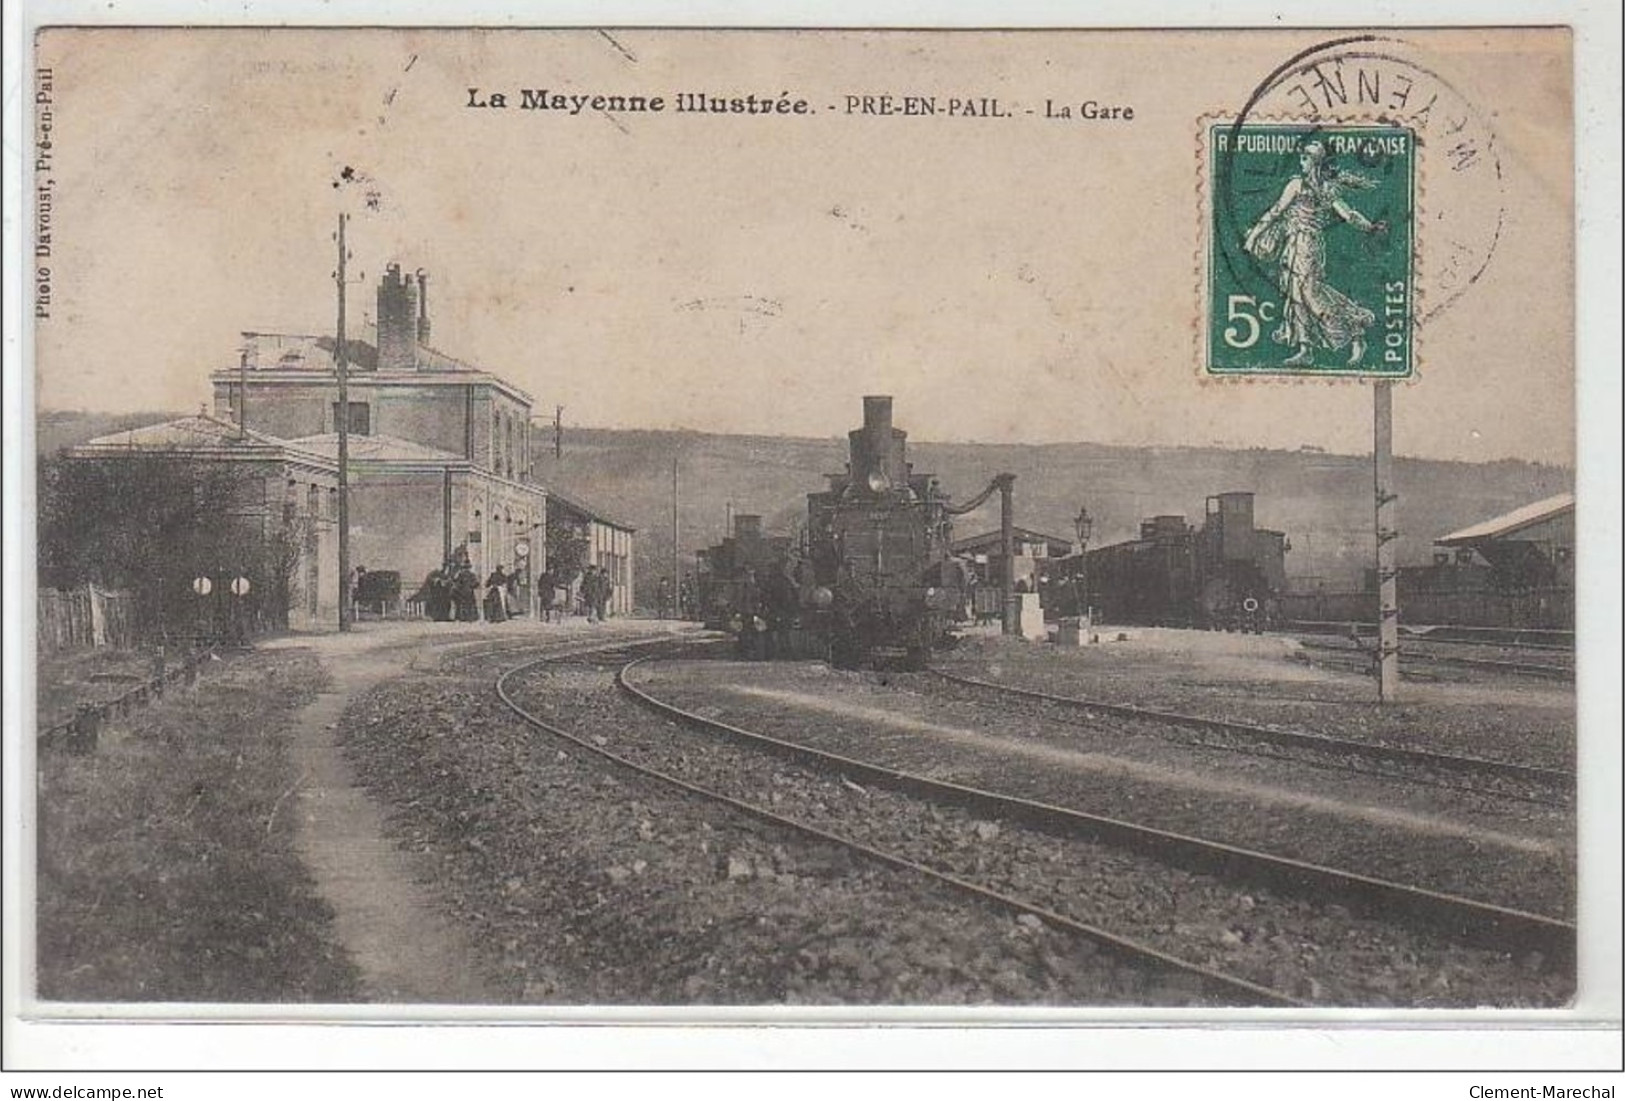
(1298,740)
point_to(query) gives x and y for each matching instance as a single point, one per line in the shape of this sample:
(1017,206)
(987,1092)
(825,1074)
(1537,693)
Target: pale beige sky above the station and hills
(1007,280)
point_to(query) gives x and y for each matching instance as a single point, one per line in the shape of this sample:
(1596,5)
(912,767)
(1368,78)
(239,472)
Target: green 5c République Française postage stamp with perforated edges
(1311,251)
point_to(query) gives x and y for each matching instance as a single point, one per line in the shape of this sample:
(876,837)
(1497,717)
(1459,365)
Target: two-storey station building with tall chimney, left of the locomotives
(440,454)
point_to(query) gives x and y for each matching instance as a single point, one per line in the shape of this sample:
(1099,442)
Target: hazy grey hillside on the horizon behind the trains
(1324,503)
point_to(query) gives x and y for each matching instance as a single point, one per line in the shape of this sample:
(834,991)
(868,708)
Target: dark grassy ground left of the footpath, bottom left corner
(167,863)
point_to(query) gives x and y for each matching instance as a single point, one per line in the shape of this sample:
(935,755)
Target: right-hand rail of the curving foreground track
(1473,922)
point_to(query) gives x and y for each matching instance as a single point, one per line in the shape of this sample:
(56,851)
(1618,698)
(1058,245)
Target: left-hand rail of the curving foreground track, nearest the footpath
(1233,988)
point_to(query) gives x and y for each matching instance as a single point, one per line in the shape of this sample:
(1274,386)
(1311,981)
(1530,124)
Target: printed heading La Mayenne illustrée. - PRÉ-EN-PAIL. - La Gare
(883,106)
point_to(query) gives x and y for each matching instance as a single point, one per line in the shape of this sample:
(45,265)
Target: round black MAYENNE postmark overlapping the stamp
(1371,80)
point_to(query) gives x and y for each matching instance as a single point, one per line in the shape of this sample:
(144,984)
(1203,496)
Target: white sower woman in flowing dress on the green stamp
(1293,235)
